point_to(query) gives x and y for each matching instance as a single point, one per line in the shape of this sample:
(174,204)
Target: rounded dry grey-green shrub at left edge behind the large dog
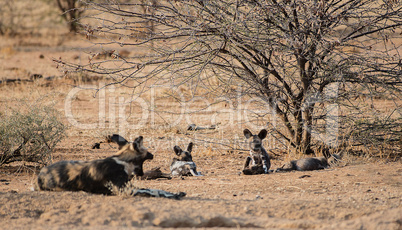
(30,133)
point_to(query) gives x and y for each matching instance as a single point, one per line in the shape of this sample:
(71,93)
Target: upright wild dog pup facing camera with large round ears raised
(259,159)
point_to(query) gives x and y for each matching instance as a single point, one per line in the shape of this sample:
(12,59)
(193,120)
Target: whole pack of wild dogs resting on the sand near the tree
(98,176)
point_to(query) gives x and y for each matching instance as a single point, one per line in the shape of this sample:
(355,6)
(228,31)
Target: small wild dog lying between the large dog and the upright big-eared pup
(184,165)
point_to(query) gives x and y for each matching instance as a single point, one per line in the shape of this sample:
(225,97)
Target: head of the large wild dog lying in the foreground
(135,153)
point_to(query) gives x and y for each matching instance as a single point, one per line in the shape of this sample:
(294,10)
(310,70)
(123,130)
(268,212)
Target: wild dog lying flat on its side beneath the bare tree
(308,164)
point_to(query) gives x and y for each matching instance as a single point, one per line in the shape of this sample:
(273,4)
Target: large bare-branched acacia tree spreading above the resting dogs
(286,52)
